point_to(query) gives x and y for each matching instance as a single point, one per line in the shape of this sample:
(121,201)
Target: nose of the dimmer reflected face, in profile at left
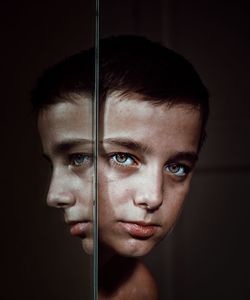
(60,194)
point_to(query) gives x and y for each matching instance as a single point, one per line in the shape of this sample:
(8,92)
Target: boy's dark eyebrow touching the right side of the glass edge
(127,143)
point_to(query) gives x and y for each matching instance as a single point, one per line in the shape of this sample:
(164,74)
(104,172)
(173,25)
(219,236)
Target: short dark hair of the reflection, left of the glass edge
(73,75)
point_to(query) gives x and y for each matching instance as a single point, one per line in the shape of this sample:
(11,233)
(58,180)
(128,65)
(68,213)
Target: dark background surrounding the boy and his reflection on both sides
(207,255)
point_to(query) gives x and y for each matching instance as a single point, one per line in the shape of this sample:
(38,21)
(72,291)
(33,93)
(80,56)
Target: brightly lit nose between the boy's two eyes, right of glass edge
(149,191)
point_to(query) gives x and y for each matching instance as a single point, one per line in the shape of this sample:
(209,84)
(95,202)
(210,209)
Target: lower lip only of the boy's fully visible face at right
(138,230)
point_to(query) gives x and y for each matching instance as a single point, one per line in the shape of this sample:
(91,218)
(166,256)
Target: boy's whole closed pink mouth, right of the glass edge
(139,229)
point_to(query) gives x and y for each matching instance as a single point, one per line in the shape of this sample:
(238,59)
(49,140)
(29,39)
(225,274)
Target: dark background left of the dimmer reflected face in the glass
(41,260)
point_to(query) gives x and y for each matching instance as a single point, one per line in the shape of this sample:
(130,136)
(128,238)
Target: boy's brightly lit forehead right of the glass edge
(178,125)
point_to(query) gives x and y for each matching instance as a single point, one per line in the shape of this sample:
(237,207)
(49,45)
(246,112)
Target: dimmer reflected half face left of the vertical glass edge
(66,133)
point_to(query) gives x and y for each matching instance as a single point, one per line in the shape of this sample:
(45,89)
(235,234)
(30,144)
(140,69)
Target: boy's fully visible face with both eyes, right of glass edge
(147,156)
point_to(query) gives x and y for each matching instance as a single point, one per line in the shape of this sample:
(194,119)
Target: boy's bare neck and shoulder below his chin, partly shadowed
(132,280)
